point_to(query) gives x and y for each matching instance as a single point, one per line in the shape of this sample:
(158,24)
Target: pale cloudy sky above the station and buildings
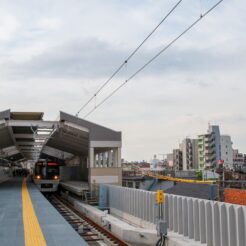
(55,54)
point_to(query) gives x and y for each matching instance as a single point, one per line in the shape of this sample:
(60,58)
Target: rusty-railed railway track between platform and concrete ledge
(93,233)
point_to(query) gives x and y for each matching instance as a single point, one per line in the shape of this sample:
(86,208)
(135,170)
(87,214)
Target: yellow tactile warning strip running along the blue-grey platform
(32,231)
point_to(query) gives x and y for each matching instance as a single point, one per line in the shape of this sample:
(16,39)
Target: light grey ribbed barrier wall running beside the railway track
(213,223)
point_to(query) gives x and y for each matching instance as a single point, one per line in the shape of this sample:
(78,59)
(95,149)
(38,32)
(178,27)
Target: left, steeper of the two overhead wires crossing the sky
(129,57)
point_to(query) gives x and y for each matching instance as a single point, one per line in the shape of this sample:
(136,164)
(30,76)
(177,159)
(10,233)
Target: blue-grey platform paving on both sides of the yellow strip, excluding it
(56,230)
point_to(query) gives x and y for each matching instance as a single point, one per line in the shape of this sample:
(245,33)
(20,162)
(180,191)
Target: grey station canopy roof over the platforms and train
(26,136)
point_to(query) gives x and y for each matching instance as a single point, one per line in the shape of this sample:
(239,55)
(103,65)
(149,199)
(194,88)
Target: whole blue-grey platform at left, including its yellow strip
(27,218)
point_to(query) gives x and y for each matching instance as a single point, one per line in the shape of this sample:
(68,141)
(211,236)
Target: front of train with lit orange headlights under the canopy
(46,176)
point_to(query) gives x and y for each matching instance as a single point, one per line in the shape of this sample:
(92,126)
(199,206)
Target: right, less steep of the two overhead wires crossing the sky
(154,57)
